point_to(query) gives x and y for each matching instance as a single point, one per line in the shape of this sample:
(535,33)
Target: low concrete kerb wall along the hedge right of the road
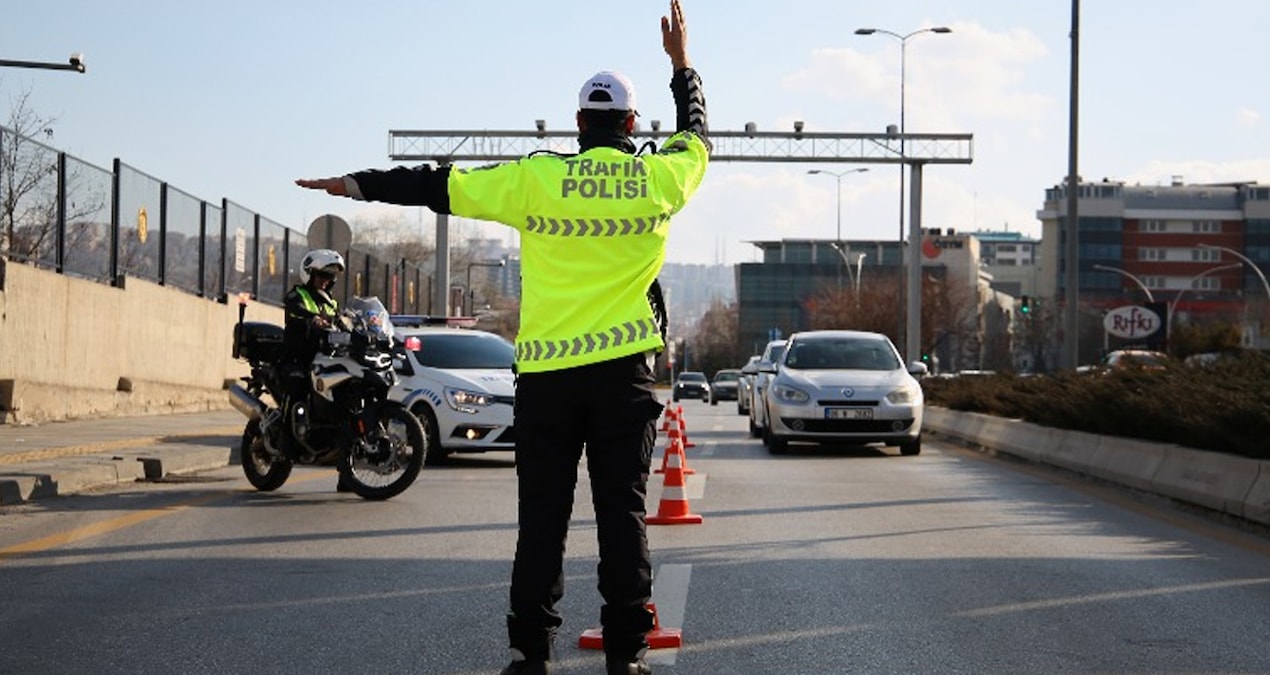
(1227,484)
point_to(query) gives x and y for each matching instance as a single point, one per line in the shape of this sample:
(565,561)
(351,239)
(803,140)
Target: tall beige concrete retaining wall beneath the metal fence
(74,349)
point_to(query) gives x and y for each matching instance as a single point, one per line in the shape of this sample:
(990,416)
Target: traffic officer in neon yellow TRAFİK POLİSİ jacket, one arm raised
(594,231)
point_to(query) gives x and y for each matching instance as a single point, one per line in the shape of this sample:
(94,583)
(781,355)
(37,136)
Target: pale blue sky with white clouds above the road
(238,99)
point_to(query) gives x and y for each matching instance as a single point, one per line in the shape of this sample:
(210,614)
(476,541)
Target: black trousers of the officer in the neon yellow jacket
(612,411)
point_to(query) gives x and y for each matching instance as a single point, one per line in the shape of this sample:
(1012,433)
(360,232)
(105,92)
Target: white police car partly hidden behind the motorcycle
(459,383)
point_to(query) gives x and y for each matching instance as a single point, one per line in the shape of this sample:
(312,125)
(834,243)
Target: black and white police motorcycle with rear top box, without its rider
(347,419)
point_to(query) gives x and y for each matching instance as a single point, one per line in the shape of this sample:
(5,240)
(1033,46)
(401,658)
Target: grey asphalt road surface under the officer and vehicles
(838,560)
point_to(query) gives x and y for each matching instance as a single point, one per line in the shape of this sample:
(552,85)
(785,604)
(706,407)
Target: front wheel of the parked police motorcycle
(388,457)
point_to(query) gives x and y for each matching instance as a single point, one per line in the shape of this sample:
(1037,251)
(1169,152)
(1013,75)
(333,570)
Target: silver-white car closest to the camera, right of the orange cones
(844,387)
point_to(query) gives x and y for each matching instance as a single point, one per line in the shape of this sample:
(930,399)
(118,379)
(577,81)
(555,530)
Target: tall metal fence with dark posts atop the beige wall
(63,214)
